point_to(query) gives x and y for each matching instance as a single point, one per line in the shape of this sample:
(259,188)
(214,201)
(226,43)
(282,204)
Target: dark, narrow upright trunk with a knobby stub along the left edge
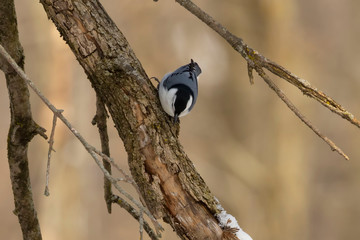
(22,127)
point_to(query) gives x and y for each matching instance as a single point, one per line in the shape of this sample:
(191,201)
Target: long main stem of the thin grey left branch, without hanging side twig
(91,150)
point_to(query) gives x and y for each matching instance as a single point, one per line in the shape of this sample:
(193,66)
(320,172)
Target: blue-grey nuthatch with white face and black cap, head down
(178,90)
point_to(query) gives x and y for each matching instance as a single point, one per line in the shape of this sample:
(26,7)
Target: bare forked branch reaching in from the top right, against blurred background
(257,62)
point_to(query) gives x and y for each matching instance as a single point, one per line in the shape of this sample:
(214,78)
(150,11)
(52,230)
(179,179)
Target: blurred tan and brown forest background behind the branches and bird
(265,166)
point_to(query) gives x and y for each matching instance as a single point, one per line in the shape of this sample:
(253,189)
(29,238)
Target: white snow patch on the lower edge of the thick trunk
(228,221)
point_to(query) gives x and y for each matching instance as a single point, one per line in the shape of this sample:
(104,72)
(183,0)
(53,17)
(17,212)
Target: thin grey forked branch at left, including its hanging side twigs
(95,155)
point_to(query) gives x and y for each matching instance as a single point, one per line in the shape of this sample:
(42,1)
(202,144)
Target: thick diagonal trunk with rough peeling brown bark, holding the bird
(168,181)
